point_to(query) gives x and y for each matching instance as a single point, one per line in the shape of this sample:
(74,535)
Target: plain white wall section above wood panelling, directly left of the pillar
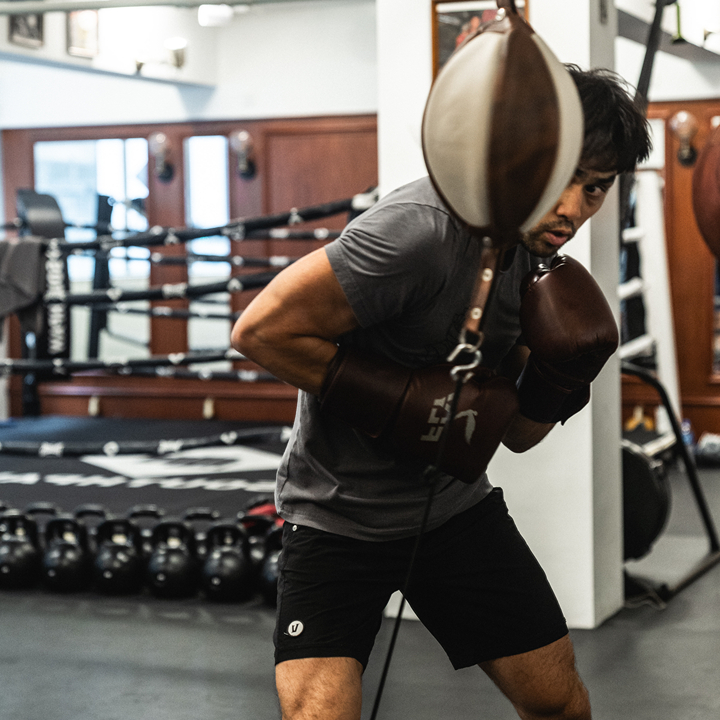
(312,58)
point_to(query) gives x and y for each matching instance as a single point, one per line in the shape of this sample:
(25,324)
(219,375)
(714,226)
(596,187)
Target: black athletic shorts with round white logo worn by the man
(476,586)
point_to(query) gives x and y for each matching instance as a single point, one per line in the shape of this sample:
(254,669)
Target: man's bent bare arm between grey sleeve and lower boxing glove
(291,326)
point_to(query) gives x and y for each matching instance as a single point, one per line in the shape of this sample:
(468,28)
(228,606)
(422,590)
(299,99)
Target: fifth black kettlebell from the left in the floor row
(228,574)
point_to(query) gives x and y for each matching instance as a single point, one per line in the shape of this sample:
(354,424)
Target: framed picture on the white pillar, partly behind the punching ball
(454,21)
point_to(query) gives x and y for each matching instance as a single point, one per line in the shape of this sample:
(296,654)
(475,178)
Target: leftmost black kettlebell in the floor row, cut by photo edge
(19,550)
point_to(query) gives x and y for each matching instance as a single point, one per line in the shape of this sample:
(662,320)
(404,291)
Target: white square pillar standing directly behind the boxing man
(565,494)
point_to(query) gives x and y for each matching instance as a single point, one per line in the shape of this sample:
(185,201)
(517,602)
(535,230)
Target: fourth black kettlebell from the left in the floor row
(173,568)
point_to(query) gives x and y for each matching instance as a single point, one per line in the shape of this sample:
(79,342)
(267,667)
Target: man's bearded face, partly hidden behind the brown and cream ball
(580,200)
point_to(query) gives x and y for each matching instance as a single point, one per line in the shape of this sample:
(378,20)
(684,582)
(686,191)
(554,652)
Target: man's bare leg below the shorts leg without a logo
(543,683)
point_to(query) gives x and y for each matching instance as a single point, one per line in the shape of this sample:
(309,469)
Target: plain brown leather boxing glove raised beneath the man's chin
(570,331)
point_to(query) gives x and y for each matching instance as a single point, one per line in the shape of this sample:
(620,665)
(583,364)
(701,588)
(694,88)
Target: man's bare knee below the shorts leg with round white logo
(320,688)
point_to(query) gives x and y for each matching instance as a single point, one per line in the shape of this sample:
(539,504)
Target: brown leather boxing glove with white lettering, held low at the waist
(409,409)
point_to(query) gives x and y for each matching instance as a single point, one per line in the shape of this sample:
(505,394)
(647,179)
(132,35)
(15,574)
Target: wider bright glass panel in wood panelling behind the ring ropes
(91,179)
